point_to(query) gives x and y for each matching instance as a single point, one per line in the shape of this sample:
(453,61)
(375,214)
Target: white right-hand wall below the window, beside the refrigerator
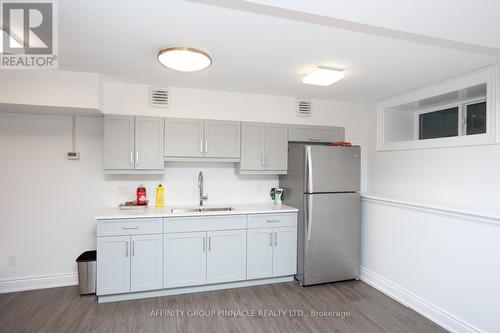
(446,263)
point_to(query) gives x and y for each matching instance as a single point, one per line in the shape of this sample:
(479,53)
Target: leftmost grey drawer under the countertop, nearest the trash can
(129,227)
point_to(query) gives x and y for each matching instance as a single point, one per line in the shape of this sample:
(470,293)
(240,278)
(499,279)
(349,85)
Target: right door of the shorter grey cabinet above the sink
(222,139)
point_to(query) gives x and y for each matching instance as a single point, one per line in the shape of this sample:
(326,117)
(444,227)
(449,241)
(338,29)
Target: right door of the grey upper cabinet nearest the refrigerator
(277,147)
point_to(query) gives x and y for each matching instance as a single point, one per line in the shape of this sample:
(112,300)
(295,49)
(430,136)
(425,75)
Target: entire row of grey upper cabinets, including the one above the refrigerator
(134,144)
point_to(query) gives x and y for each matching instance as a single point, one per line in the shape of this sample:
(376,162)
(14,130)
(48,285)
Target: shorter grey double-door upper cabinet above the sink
(194,139)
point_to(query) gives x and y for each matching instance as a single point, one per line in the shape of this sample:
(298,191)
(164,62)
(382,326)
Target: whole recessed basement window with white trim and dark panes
(458,112)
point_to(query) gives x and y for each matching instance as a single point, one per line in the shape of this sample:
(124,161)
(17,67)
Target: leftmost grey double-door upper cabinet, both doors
(133,144)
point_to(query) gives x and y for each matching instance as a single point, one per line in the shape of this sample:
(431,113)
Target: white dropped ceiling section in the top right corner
(467,21)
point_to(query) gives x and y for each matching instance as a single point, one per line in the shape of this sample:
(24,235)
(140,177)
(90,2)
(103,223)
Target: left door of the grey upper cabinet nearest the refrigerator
(253,146)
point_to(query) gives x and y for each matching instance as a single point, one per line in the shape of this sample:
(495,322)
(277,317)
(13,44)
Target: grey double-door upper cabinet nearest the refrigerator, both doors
(264,148)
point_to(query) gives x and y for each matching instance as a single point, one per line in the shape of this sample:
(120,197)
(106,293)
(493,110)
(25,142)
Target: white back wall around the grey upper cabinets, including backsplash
(48,202)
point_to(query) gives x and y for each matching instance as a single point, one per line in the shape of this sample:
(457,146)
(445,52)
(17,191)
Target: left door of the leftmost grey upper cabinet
(118,142)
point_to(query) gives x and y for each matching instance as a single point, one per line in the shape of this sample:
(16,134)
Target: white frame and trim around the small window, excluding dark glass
(489,76)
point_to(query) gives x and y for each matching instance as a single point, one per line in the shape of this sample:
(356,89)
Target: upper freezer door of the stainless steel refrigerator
(332,169)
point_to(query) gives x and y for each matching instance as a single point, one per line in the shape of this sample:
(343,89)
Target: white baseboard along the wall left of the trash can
(38,282)
